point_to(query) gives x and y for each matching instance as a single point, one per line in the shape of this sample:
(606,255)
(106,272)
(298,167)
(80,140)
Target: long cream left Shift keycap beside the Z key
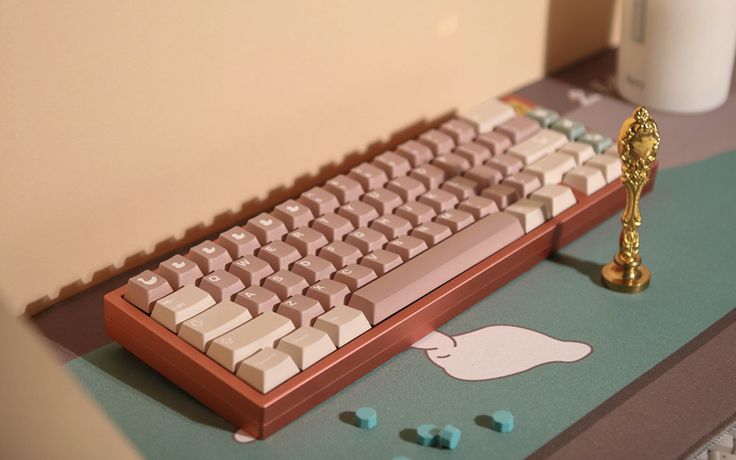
(260,332)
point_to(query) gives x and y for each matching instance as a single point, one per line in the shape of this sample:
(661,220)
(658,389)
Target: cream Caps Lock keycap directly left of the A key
(213,322)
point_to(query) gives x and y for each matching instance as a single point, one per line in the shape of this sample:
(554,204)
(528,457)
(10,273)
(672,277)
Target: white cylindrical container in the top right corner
(677,55)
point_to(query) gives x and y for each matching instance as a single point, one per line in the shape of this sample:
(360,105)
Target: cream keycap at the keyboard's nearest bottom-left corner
(267,369)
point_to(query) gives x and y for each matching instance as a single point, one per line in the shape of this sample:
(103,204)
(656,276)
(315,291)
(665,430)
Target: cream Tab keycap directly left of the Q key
(181,305)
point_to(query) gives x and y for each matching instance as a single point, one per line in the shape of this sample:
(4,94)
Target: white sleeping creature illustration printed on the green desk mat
(497,351)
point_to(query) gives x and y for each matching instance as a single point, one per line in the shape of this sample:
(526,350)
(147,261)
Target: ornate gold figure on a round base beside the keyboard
(638,142)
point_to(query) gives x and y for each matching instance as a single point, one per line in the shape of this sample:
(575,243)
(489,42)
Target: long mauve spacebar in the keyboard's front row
(434,267)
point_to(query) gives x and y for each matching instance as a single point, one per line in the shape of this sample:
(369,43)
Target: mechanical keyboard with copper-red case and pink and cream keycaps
(277,315)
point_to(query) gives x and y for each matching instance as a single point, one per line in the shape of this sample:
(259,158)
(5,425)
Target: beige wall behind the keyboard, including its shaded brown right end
(130,127)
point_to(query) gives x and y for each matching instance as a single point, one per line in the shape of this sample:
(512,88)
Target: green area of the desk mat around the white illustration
(687,241)
